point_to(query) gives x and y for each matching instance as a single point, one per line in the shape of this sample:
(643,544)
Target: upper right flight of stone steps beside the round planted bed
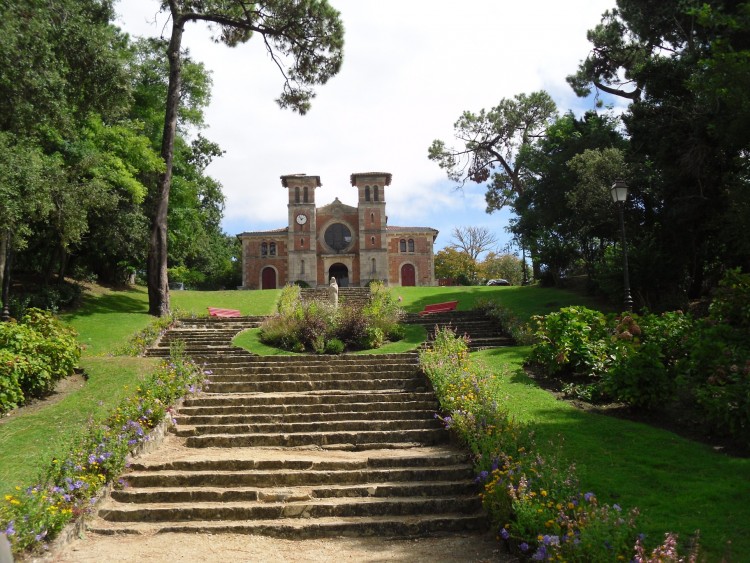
(481,330)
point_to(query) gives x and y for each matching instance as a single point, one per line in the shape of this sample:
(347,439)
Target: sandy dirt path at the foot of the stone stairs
(209,548)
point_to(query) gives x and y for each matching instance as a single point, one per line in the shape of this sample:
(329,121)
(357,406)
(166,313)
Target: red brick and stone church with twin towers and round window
(355,245)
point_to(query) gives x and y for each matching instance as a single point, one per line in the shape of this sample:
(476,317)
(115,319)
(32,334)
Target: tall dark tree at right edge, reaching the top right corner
(683,67)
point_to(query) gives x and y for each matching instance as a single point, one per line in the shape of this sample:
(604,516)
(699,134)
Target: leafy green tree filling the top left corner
(60,63)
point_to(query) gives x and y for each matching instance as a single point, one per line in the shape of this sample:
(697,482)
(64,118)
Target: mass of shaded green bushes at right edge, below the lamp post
(654,361)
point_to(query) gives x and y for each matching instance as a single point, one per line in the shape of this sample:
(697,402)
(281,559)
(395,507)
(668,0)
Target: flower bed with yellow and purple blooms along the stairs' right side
(533,501)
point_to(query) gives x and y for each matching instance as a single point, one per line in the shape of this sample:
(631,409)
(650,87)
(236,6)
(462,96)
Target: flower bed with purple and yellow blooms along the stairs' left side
(32,514)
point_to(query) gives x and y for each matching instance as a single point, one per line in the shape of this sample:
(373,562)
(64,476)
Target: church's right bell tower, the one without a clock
(373,249)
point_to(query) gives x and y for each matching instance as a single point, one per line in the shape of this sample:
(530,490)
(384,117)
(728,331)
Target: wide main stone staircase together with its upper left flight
(299,447)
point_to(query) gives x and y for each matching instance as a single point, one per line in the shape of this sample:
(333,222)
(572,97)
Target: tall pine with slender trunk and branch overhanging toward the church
(308,32)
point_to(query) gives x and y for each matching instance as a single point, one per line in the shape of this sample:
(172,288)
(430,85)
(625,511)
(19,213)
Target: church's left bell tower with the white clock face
(302,227)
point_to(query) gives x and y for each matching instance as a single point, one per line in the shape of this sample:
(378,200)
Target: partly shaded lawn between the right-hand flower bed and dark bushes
(679,485)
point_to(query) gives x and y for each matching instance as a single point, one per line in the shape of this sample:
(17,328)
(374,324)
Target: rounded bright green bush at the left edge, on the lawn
(38,351)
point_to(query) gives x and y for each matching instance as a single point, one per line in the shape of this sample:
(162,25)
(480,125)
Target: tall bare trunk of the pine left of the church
(158,282)
